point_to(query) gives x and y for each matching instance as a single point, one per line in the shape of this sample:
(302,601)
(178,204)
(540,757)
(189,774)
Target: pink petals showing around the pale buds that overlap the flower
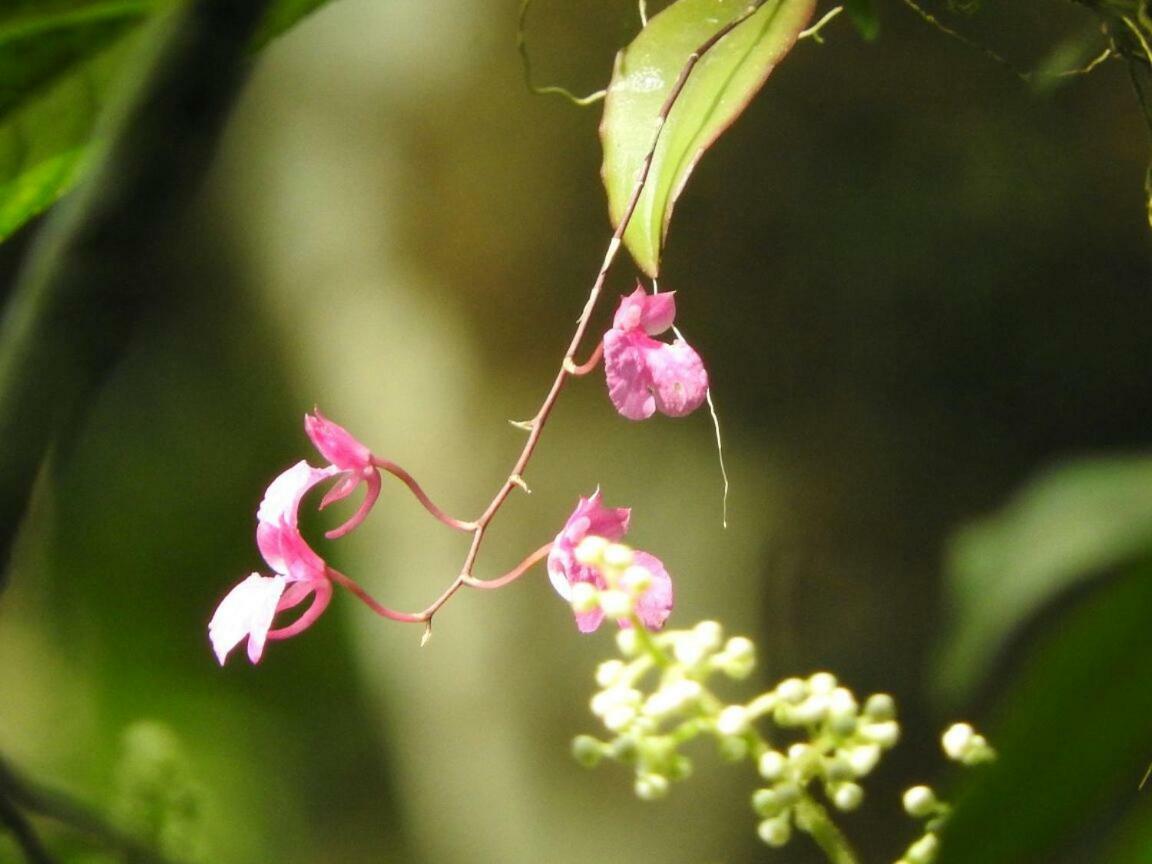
(592,519)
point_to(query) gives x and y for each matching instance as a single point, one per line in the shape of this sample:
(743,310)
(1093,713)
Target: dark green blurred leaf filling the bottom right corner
(1074,738)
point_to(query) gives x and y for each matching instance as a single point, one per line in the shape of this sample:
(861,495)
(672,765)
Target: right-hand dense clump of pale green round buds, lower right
(840,745)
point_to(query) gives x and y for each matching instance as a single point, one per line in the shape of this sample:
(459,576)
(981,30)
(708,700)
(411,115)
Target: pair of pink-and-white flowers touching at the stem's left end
(299,573)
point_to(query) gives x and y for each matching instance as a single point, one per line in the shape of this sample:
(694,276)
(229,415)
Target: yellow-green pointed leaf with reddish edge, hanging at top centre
(722,86)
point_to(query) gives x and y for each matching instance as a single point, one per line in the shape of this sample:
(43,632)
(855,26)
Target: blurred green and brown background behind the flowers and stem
(916,282)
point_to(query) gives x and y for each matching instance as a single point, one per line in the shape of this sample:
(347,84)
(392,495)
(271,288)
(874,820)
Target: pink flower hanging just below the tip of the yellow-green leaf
(647,376)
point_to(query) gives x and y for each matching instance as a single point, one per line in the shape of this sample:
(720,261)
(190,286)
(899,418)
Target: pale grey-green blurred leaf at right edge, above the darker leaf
(1065,528)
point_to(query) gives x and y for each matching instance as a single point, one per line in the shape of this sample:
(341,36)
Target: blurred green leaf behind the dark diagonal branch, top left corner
(59,65)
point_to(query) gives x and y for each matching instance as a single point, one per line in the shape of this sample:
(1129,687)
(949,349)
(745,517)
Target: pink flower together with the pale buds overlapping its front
(600,577)
